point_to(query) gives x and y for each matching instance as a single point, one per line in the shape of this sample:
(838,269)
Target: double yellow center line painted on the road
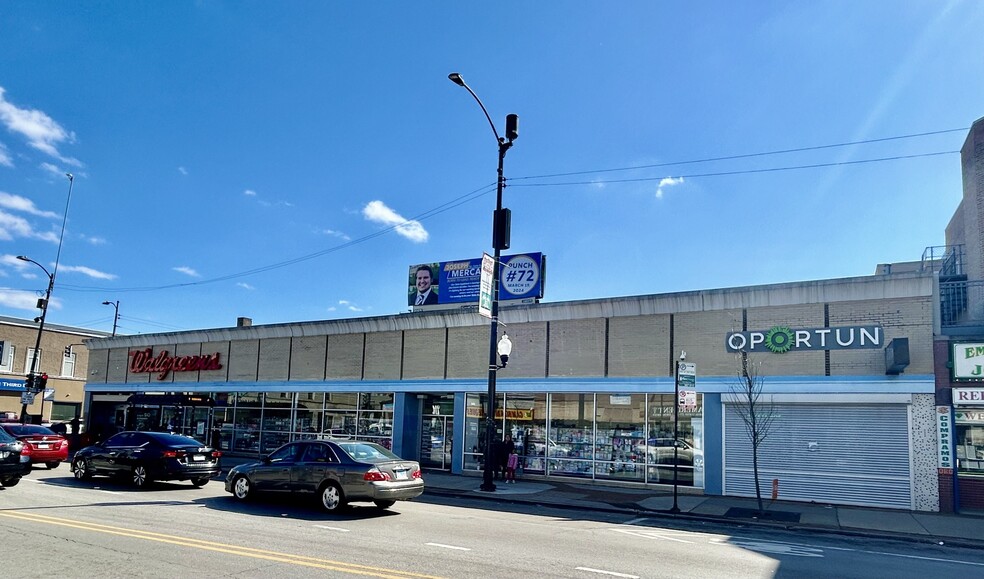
(219,547)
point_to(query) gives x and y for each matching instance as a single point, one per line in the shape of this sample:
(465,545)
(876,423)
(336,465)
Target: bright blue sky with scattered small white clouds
(289,161)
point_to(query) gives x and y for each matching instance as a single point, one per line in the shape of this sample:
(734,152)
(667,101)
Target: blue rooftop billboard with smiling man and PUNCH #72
(521,276)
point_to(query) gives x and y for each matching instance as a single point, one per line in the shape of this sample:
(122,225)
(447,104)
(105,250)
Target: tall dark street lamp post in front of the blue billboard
(500,240)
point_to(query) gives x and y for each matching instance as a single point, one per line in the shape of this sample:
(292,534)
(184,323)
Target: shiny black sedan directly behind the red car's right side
(143,457)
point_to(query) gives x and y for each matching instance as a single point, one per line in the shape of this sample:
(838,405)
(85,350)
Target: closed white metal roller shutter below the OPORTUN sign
(838,453)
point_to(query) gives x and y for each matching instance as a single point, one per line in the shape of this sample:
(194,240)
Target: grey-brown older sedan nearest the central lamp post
(336,472)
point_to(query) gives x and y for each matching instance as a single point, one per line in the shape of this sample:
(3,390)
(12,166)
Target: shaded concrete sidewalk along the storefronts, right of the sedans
(963,530)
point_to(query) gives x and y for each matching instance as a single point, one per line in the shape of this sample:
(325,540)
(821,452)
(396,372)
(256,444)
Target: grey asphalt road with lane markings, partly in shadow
(54,526)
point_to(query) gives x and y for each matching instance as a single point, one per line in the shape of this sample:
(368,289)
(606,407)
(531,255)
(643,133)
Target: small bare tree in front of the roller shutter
(757,415)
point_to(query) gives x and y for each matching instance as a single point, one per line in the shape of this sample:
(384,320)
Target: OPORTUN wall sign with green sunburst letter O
(782,339)
